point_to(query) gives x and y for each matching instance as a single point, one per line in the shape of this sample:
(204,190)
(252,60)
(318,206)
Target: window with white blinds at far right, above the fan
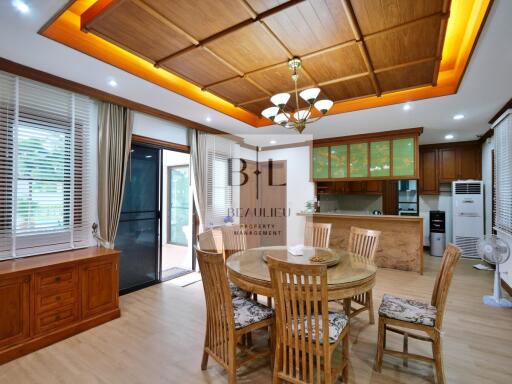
(503,156)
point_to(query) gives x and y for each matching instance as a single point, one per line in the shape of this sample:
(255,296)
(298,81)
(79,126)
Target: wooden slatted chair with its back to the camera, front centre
(307,333)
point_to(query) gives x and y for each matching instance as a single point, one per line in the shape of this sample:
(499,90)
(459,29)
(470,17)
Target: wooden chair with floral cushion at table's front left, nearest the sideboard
(228,319)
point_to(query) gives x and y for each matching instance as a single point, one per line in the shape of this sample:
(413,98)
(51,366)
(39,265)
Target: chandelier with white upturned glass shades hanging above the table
(295,117)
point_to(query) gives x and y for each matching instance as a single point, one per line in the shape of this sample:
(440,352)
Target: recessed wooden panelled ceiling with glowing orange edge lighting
(238,50)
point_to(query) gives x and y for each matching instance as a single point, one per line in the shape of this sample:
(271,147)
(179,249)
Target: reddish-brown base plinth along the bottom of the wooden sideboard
(35,343)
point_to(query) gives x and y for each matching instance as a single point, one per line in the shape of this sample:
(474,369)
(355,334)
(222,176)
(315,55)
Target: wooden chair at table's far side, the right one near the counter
(363,242)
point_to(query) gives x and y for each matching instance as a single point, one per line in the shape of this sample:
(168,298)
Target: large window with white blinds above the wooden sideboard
(45,168)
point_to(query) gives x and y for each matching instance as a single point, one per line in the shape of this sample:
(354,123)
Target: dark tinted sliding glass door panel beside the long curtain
(138,232)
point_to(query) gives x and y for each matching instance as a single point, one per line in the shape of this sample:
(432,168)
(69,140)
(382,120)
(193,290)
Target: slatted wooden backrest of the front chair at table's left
(220,328)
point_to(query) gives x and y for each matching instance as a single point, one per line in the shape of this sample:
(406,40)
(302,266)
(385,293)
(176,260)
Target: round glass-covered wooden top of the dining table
(353,275)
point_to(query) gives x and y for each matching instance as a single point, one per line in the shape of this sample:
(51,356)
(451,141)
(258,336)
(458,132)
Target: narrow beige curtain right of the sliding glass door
(199,161)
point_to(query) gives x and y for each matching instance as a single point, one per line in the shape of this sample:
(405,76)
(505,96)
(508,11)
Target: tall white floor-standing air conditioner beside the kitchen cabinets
(468,215)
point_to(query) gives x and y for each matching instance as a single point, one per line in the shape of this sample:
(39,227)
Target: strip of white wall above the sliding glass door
(160,129)
